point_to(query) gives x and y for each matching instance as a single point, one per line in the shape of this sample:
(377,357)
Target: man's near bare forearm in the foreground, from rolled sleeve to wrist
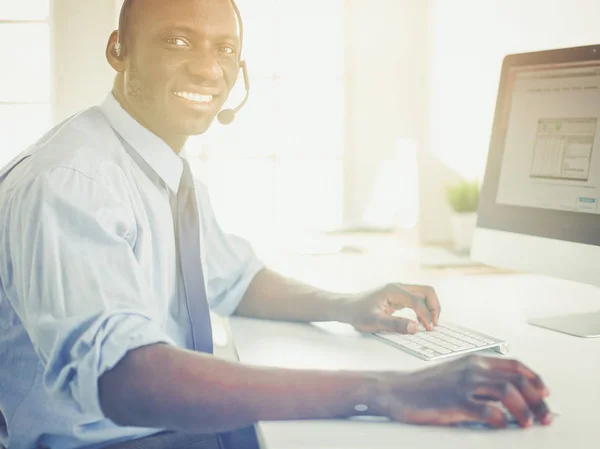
(164,387)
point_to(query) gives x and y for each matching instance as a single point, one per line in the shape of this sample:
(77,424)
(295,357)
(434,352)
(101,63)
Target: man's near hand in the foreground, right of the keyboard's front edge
(466,390)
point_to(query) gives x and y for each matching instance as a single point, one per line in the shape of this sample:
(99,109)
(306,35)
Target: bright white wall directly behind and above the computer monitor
(469,40)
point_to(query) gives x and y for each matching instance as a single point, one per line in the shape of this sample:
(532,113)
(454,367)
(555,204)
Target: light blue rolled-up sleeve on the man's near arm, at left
(74,281)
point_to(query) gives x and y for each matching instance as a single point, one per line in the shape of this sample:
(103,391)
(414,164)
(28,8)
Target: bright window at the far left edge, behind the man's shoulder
(25,77)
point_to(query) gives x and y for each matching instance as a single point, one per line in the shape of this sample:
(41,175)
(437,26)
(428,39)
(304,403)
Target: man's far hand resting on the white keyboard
(372,311)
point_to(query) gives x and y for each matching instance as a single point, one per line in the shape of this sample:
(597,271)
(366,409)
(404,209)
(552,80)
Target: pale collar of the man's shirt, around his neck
(151,148)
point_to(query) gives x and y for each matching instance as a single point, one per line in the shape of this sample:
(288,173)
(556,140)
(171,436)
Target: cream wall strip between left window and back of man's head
(81,75)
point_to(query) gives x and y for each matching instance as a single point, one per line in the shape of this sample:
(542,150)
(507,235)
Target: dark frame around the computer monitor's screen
(555,224)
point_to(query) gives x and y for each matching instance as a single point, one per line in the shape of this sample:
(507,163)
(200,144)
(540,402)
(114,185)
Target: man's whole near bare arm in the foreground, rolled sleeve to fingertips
(164,387)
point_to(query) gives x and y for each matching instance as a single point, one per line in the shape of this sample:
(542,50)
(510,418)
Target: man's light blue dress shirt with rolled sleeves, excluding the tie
(89,271)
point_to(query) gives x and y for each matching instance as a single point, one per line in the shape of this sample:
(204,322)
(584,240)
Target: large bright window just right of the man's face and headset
(278,167)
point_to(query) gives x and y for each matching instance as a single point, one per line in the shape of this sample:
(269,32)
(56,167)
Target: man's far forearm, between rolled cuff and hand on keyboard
(274,297)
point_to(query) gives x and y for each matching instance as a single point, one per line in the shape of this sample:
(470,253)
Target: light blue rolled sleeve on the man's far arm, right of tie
(230,262)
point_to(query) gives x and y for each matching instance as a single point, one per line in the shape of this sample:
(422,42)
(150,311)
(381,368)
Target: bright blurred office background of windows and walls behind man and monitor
(362,112)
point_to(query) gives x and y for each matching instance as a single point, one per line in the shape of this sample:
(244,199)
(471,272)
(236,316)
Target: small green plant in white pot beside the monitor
(464,200)
